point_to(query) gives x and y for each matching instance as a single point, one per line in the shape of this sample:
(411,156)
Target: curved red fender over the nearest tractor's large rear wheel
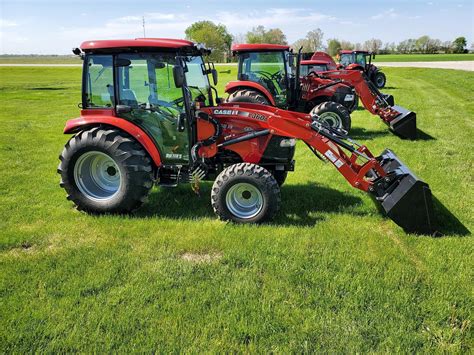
(88,120)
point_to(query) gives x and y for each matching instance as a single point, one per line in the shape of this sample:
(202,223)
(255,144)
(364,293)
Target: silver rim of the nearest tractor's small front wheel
(244,200)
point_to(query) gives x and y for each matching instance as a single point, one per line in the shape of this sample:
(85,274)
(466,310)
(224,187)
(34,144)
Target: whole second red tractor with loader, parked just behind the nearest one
(272,74)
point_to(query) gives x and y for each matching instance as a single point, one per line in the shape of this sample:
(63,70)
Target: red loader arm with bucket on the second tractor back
(400,120)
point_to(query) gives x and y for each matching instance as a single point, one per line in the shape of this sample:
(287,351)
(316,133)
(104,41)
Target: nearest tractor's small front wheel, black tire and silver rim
(245,193)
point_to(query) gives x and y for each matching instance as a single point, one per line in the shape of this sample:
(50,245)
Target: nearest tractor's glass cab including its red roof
(153,83)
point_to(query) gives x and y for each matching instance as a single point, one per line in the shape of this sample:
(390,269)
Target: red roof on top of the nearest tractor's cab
(156,43)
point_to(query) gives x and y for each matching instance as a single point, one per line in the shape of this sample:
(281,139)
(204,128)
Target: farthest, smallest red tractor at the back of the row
(362,60)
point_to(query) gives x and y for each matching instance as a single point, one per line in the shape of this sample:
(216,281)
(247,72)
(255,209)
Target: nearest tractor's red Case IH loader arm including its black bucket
(398,192)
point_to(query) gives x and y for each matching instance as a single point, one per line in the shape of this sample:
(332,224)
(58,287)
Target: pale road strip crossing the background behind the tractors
(467,65)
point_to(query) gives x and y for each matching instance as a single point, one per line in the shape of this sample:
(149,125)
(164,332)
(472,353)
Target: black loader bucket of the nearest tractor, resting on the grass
(405,199)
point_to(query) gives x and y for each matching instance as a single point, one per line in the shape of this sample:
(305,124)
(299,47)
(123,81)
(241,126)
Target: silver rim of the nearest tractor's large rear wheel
(97,176)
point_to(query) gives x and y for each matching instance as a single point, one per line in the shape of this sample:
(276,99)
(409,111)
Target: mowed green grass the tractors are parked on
(328,274)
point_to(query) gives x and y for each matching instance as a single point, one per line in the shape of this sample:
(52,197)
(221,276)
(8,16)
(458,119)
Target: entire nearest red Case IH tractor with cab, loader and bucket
(149,117)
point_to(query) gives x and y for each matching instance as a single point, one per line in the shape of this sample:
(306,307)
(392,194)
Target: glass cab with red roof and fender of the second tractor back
(270,69)
